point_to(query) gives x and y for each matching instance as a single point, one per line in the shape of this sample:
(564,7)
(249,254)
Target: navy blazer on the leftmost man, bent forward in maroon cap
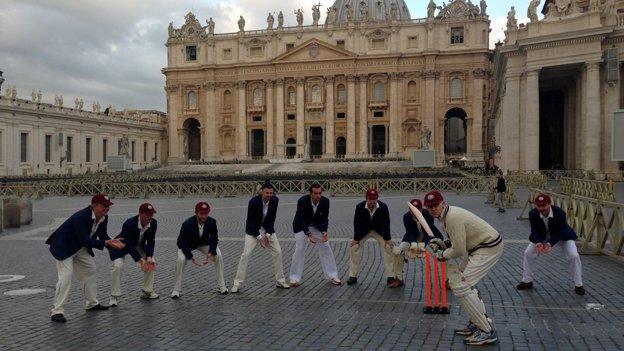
(75,233)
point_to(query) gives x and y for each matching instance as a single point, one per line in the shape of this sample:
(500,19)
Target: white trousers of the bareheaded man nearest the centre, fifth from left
(326,255)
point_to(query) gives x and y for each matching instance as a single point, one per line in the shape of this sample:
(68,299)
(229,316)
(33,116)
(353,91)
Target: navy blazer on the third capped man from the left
(189,238)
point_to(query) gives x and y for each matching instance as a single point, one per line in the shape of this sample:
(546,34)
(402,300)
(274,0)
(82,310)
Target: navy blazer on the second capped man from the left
(130,232)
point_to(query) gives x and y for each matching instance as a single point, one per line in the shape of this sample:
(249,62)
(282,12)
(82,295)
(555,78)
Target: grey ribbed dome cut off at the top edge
(367,10)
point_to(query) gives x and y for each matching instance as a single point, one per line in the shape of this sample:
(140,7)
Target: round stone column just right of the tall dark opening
(592,126)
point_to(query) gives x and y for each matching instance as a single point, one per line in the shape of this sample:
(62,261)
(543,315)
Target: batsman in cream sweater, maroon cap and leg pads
(480,245)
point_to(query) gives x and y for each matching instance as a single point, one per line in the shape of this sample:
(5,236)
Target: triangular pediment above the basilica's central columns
(314,49)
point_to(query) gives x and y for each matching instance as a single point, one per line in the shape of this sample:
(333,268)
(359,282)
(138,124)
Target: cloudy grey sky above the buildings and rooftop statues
(112,51)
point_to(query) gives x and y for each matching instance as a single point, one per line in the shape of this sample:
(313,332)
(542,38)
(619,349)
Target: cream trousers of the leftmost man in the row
(84,266)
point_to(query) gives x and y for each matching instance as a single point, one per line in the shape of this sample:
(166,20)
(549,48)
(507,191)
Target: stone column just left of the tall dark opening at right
(530,144)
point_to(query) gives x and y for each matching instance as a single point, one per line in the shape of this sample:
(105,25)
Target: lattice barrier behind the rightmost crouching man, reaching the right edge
(599,224)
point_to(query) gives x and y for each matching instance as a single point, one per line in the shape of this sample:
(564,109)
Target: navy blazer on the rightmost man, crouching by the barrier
(557,226)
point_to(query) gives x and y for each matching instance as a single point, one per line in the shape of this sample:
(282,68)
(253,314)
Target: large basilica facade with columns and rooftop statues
(369,81)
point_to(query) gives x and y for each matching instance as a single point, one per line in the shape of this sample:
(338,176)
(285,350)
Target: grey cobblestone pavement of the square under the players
(316,315)
